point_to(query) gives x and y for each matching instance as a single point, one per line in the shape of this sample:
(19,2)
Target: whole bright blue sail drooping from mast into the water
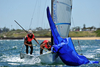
(65,48)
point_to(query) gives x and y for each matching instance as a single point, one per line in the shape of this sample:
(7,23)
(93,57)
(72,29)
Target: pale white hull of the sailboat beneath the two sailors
(48,58)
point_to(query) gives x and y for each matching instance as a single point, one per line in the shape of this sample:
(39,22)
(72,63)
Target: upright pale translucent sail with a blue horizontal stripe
(62,16)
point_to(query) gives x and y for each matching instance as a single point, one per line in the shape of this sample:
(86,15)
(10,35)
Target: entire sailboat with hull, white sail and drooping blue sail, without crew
(63,50)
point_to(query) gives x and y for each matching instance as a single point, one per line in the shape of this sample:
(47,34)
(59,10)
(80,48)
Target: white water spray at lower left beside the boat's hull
(15,60)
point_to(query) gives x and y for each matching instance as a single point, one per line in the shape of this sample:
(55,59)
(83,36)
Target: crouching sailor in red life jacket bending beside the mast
(45,44)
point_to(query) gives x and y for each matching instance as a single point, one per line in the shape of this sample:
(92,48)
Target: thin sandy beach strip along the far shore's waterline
(48,38)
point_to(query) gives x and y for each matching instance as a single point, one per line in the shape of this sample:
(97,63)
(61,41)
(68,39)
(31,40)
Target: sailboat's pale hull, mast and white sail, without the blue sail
(56,6)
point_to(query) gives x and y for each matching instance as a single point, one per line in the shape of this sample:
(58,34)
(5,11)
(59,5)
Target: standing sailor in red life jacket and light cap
(30,36)
